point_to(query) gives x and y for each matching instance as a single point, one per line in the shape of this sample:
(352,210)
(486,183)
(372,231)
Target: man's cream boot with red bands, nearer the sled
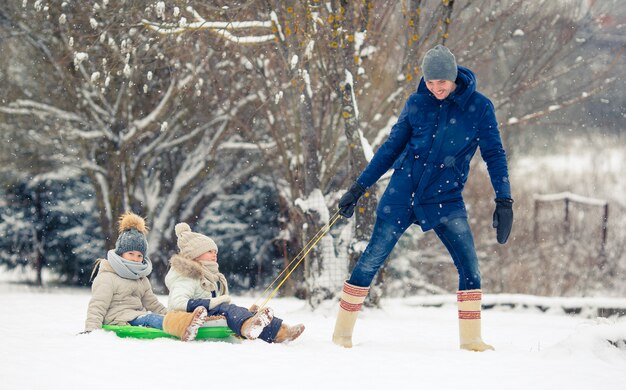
(352,298)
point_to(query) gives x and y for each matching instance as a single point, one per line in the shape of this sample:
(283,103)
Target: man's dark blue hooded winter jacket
(430,148)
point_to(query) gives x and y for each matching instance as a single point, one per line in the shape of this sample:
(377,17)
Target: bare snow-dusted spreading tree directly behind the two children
(142,116)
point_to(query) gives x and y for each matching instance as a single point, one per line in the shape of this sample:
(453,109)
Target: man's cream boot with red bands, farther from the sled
(469,321)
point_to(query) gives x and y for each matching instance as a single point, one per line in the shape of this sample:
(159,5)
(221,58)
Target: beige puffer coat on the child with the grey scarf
(116,300)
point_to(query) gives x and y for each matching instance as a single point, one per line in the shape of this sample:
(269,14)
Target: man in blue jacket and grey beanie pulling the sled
(430,149)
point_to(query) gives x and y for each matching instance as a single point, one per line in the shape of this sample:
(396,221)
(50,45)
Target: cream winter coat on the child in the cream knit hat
(185,281)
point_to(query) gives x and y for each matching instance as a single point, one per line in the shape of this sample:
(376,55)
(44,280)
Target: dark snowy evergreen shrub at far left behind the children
(49,221)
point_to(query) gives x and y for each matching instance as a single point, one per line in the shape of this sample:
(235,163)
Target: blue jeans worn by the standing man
(455,234)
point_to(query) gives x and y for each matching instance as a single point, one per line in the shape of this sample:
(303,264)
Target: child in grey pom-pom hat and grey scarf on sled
(122,293)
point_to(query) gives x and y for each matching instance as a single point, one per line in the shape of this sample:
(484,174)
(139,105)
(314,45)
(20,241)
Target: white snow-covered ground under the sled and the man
(400,346)
